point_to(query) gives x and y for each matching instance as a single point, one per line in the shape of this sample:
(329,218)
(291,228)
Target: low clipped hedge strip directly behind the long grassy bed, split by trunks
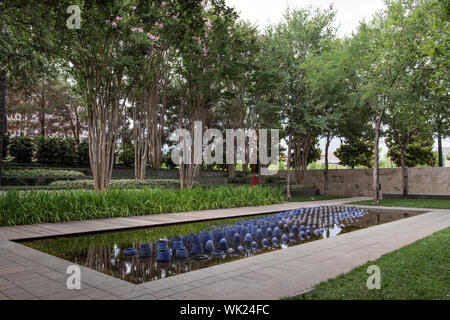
(118,183)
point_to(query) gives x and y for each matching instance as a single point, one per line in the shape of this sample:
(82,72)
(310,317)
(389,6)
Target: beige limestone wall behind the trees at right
(358,182)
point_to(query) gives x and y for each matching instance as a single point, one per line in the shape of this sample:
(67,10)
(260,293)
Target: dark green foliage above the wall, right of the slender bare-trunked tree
(418,152)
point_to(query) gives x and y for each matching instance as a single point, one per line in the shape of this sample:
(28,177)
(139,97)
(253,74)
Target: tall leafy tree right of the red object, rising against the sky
(289,43)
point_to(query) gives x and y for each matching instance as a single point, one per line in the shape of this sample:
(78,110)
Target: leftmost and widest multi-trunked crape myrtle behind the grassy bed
(93,56)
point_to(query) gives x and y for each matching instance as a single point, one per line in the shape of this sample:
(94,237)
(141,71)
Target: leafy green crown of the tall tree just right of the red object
(286,47)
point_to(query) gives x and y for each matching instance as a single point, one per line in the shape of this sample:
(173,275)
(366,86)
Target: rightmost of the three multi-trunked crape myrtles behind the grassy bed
(203,53)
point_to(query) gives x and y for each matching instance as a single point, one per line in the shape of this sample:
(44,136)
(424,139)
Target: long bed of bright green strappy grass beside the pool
(57,206)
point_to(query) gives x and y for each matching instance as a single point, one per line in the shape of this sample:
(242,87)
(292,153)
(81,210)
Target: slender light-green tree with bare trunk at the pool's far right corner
(372,52)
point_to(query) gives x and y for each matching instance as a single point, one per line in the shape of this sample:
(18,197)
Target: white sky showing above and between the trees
(349,13)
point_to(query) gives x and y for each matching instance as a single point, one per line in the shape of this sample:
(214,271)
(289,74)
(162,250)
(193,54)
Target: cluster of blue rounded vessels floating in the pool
(253,234)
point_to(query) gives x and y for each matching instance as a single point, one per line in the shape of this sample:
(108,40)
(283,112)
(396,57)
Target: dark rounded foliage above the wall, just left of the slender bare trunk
(355,152)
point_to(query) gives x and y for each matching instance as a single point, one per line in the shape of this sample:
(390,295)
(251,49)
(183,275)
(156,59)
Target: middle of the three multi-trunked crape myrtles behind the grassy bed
(148,76)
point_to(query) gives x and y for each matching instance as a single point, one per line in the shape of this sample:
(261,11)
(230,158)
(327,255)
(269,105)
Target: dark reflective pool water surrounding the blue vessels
(103,252)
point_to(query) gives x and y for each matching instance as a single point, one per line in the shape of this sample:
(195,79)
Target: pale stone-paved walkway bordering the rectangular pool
(29,274)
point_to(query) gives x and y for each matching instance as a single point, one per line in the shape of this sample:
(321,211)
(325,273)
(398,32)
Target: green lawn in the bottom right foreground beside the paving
(420,270)
